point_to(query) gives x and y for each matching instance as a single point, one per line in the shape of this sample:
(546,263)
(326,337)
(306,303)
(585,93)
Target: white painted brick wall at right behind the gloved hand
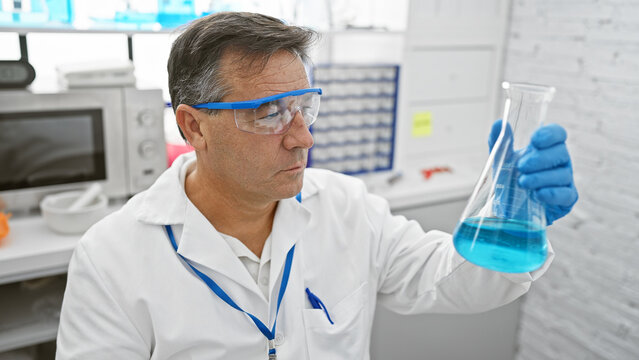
(587,305)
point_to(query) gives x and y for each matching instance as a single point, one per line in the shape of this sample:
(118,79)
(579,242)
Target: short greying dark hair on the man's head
(194,67)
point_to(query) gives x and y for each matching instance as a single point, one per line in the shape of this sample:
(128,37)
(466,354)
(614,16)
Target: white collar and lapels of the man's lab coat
(166,203)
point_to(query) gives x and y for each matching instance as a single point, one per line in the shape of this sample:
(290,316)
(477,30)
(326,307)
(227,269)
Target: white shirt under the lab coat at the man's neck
(258,267)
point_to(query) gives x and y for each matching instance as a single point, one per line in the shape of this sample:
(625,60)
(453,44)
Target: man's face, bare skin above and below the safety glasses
(266,167)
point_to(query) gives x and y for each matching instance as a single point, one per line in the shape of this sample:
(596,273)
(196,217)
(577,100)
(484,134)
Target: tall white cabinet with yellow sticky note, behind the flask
(451,72)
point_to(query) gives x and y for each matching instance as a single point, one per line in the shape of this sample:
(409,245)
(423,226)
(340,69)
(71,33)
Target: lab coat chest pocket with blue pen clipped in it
(346,338)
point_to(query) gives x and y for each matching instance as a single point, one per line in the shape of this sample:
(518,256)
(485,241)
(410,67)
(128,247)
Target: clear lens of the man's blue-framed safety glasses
(275,117)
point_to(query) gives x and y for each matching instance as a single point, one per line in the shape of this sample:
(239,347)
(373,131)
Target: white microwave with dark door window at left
(52,142)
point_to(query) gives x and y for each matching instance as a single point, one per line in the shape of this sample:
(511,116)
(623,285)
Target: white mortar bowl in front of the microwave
(56,213)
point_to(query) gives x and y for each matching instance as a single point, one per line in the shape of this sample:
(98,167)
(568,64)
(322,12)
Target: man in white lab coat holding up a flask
(237,251)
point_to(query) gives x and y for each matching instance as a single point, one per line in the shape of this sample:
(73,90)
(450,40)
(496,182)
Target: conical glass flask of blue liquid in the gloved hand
(503,226)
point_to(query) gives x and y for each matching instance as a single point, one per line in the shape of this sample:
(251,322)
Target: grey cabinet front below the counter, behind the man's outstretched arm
(487,336)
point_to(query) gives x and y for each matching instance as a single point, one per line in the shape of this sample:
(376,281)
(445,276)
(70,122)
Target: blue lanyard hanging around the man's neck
(269,334)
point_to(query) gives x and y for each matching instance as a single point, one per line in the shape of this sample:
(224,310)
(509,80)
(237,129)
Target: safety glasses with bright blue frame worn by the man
(272,114)
